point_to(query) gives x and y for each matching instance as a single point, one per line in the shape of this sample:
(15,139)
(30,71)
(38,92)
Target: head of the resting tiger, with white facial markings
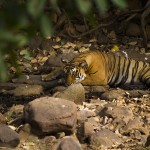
(75,73)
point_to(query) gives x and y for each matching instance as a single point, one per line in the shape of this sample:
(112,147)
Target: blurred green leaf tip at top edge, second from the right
(102,5)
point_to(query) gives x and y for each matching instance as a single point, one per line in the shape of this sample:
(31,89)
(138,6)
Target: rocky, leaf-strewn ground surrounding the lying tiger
(47,115)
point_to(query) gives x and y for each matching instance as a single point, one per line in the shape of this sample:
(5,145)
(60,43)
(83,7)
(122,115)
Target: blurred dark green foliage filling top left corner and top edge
(20,20)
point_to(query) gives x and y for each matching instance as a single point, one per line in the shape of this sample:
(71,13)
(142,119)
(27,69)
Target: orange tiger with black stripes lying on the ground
(97,68)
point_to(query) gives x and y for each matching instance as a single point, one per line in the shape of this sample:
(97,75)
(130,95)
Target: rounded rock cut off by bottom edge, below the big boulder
(68,143)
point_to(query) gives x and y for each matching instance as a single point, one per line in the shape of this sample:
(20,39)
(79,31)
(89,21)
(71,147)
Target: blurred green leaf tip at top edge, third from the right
(83,5)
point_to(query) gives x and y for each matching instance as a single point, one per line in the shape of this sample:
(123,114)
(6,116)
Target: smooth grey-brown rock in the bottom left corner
(8,137)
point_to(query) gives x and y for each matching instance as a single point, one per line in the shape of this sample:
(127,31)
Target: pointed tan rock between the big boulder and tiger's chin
(75,93)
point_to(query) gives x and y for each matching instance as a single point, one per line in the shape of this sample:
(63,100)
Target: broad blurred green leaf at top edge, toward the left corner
(35,7)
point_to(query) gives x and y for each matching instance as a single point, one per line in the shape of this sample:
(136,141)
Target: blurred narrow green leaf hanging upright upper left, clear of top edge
(46,26)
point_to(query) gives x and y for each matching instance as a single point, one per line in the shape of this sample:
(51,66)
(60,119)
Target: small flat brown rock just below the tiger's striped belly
(113,94)
